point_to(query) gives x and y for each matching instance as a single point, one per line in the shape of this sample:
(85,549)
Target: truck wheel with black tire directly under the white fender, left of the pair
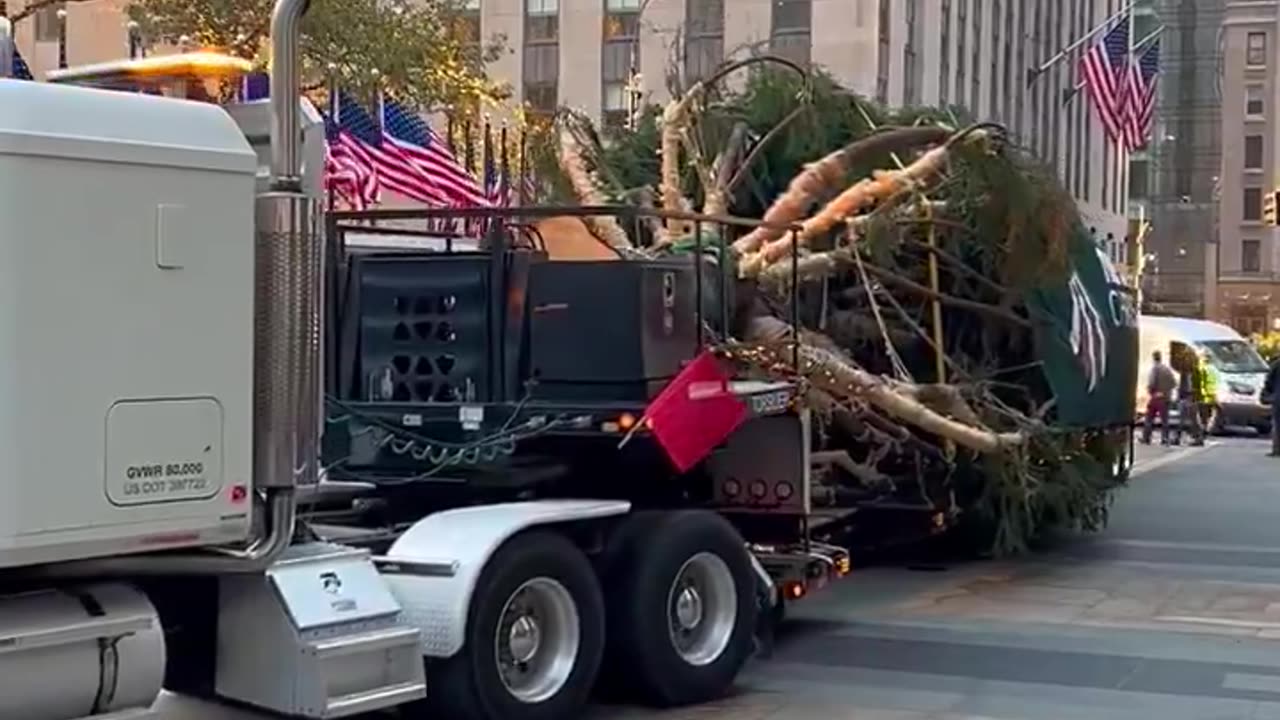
(534,639)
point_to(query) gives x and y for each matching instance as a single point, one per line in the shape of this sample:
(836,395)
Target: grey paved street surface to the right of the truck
(1173,613)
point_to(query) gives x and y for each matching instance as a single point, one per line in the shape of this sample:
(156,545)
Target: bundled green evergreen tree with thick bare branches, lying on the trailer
(982,441)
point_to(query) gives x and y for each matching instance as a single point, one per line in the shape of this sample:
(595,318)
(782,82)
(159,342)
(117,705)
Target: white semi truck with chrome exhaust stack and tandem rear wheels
(161,350)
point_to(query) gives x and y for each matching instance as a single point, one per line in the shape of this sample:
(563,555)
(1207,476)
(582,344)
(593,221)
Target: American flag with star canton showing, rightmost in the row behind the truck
(429,156)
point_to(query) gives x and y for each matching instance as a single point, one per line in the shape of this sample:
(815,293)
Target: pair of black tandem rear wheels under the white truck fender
(673,626)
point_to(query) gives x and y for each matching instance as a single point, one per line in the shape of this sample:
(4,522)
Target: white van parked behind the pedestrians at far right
(1237,367)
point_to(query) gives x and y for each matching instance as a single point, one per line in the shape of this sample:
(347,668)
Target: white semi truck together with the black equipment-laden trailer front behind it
(479,543)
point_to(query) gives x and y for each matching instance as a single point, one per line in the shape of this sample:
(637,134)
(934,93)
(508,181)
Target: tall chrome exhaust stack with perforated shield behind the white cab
(286,340)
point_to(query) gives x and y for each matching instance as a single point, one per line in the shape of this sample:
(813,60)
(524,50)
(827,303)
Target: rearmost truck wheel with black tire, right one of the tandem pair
(682,608)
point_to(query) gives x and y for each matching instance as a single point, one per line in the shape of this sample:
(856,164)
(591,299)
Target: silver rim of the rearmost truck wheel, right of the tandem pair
(702,609)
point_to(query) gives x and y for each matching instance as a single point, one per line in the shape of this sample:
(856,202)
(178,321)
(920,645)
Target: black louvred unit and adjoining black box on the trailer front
(474,327)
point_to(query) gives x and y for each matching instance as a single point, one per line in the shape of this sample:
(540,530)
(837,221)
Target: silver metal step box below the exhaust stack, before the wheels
(318,636)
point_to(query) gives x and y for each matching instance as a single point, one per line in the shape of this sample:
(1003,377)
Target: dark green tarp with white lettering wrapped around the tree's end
(1087,339)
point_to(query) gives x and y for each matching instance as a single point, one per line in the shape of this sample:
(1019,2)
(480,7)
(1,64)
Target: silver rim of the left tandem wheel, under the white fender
(538,640)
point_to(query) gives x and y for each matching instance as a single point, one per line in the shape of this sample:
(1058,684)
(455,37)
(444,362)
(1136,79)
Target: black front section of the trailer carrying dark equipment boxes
(586,439)
